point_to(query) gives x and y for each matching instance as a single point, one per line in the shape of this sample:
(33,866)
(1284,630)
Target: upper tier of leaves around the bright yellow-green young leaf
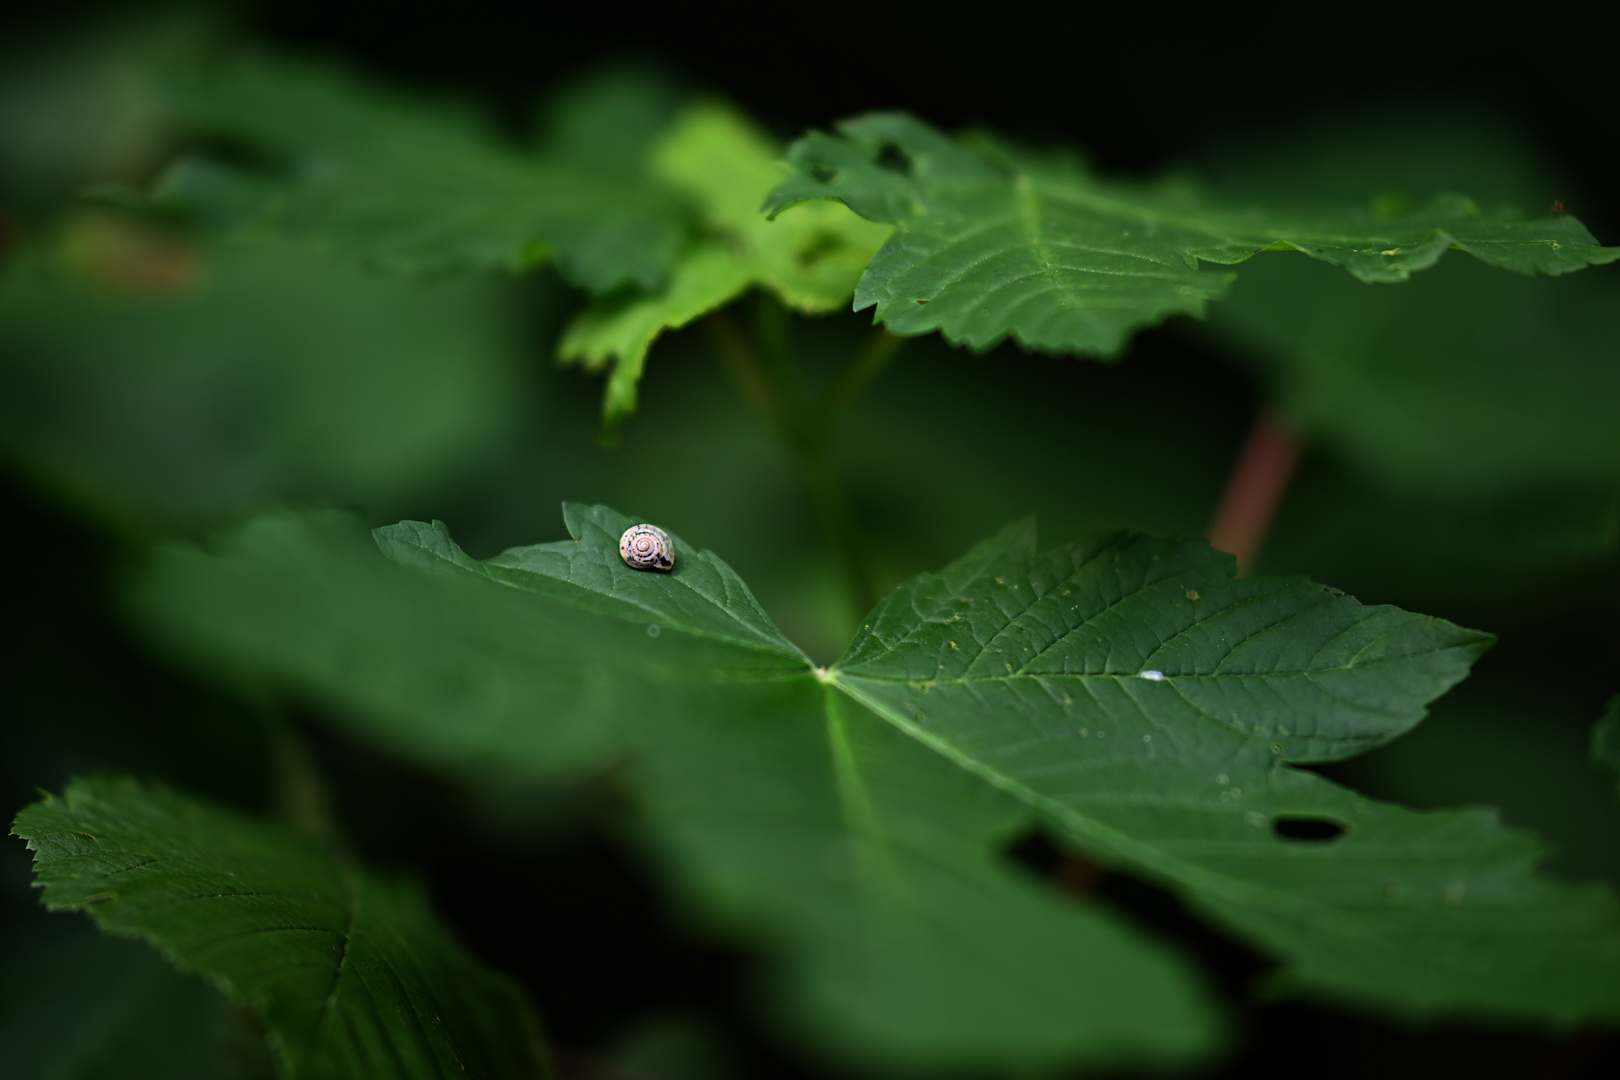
(657,218)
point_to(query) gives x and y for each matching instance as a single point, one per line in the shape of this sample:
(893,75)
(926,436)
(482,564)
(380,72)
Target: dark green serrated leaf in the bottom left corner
(352,976)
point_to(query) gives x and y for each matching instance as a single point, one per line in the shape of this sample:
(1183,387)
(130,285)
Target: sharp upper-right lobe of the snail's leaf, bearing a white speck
(1289,666)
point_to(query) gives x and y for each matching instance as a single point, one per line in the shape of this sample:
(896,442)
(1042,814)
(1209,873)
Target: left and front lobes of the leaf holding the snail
(871,865)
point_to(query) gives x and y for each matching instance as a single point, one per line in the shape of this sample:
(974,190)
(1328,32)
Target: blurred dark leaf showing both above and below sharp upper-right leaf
(1465,385)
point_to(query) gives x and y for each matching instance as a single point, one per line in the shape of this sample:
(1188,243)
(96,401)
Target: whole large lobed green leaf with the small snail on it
(1132,694)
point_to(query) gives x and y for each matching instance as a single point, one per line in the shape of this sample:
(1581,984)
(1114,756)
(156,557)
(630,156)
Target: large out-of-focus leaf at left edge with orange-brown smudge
(168,381)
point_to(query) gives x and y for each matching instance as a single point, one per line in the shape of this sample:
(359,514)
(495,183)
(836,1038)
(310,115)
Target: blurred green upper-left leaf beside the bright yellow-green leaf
(414,185)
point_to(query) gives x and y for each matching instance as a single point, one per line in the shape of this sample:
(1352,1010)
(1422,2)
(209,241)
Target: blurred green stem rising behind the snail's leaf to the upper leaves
(769,378)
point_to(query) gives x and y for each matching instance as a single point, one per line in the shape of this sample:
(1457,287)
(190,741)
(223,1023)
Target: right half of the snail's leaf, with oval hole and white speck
(1148,702)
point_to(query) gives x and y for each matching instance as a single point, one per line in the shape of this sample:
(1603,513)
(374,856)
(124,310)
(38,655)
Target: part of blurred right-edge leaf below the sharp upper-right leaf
(1465,381)
